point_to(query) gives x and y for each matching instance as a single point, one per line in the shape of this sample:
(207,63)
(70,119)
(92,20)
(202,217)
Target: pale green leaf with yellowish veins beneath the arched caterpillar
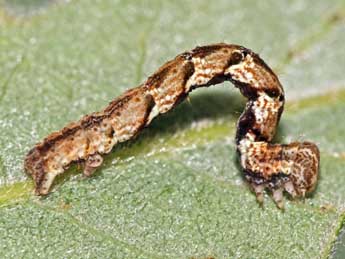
(177,190)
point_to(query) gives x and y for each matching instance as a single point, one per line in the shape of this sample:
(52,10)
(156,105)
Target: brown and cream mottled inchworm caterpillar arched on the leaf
(277,168)
